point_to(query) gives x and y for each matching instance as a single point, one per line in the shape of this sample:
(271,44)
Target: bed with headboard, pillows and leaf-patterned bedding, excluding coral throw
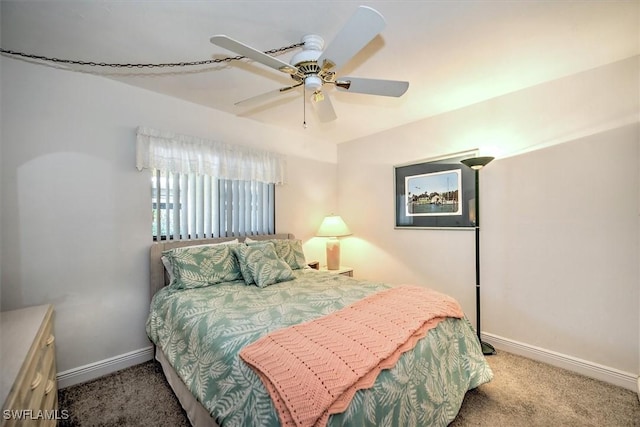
(202,335)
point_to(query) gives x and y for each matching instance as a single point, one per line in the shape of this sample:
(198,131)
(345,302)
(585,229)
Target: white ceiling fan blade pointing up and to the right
(360,29)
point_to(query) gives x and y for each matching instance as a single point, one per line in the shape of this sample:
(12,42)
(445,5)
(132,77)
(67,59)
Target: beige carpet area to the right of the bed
(529,393)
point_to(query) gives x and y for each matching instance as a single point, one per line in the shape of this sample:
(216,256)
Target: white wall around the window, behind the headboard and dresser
(76,219)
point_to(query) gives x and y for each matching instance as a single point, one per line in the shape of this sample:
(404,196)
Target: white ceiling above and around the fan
(453,53)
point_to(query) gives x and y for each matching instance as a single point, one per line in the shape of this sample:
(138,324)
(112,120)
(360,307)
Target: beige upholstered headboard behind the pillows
(156,268)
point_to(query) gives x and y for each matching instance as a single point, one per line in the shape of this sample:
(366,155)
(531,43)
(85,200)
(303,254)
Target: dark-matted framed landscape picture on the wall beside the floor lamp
(435,193)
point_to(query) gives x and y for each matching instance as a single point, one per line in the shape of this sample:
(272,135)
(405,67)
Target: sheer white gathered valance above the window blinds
(187,154)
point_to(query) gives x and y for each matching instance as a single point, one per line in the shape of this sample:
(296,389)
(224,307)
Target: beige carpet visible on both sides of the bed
(523,393)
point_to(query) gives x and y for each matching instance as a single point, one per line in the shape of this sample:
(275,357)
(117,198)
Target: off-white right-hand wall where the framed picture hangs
(559,271)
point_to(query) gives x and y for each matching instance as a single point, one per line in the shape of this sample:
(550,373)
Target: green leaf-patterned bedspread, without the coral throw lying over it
(201,331)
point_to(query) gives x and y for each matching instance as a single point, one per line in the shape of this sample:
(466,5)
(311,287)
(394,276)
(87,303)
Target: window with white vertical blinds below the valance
(190,206)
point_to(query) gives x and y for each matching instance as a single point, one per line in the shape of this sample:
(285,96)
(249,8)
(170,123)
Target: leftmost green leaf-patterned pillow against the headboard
(199,266)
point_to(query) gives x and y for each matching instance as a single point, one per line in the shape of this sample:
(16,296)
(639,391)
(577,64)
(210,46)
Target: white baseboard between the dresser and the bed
(103,367)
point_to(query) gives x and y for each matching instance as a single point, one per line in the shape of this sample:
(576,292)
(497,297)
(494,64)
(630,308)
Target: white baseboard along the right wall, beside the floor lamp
(593,370)
